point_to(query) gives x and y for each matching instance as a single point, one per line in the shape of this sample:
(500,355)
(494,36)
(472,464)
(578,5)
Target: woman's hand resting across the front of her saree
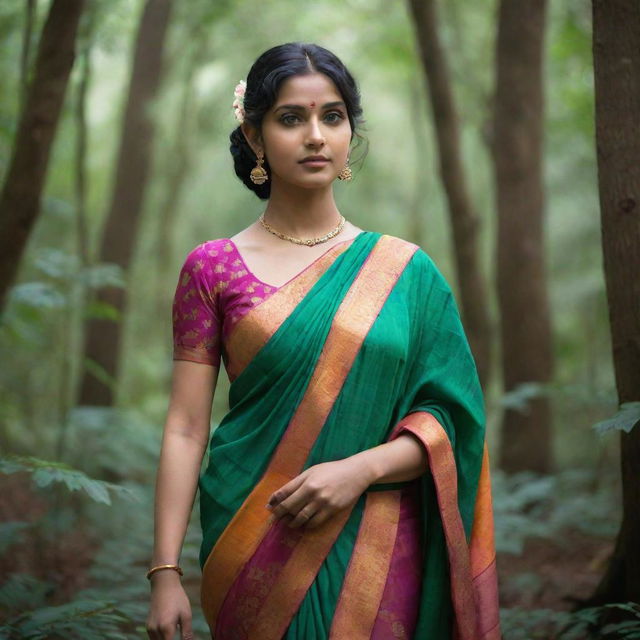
(320,491)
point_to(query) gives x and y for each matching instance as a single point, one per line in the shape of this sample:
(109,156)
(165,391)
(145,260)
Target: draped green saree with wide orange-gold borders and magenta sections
(362,347)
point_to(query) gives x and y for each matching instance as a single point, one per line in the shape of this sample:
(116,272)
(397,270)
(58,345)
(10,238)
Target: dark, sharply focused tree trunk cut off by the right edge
(616,56)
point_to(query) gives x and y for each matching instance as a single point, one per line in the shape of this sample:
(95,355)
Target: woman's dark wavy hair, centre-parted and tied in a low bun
(266,75)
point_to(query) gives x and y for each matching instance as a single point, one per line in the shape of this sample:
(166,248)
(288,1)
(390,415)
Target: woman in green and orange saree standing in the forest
(347,491)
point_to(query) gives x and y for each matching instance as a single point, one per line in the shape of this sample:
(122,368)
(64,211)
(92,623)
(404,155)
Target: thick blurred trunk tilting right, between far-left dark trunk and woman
(103,336)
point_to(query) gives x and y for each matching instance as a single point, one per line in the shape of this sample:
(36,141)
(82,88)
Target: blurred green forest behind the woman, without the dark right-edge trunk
(115,164)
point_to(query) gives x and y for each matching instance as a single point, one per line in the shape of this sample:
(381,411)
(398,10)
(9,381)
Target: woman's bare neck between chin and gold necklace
(302,213)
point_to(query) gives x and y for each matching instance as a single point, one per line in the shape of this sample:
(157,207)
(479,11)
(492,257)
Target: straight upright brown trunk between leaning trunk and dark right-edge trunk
(525,334)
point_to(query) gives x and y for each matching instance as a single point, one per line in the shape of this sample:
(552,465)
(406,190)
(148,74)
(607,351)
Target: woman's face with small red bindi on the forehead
(308,118)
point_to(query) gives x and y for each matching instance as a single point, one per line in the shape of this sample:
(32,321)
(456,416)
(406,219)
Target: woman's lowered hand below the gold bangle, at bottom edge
(169,608)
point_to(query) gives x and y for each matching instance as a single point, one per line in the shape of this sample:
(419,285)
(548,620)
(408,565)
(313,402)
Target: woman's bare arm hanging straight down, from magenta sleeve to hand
(184,442)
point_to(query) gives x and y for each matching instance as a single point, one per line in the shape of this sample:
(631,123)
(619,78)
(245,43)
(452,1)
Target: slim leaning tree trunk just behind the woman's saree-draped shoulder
(464,220)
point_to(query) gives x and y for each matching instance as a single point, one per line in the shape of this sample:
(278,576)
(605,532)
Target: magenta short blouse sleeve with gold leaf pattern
(196,318)
